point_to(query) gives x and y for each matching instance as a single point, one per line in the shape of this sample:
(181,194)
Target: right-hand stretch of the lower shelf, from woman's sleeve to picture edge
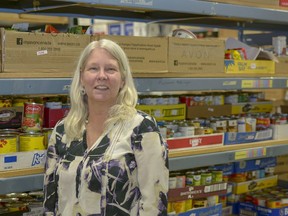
(201,157)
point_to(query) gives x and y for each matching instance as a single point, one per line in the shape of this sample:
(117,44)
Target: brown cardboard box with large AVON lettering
(196,56)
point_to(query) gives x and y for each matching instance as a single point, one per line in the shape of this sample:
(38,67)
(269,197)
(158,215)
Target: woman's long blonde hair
(74,122)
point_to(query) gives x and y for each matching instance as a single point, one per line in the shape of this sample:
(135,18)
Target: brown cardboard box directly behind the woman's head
(145,54)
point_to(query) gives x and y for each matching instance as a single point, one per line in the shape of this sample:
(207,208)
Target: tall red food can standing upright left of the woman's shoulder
(33,117)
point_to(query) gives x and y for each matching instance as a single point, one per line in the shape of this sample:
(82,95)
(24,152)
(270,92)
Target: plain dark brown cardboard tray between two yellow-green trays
(208,111)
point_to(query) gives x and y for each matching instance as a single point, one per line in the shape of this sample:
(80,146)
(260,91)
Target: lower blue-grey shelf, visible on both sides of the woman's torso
(178,160)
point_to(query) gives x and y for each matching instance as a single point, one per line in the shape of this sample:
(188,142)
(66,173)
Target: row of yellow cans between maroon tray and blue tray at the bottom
(188,204)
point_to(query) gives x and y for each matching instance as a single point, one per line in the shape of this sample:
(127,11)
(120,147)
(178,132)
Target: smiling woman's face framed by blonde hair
(101,77)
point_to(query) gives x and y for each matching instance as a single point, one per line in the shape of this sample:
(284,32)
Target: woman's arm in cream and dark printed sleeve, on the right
(151,153)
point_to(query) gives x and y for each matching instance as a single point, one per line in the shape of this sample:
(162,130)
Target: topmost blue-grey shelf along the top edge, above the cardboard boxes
(189,12)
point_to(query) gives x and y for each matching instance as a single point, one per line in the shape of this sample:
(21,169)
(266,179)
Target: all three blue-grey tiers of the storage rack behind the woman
(192,12)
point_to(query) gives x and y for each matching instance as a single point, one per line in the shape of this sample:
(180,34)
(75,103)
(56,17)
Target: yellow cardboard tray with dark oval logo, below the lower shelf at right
(253,185)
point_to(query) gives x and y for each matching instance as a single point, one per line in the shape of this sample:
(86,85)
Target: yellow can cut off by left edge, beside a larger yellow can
(8,143)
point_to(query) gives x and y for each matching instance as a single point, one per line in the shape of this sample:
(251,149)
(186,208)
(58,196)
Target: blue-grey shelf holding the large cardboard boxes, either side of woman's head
(29,86)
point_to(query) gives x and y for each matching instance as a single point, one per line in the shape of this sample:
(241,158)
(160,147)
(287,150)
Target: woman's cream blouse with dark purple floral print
(125,172)
